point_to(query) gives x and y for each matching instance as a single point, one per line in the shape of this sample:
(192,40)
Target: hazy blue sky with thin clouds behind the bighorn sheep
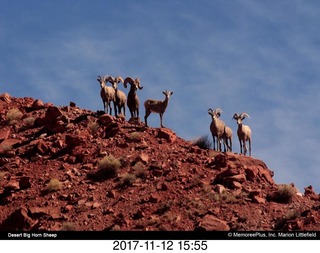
(254,56)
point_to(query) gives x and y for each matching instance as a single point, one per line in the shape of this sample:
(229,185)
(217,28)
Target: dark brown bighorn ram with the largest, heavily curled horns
(133,101)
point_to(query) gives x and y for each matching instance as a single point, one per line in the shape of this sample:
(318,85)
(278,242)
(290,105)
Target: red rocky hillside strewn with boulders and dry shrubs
(67,168)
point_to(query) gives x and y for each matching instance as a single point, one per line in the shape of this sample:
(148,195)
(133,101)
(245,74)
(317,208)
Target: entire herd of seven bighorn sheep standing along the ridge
(220,132)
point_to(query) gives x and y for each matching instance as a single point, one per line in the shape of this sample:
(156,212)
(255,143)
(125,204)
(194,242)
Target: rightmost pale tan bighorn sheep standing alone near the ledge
(244,133)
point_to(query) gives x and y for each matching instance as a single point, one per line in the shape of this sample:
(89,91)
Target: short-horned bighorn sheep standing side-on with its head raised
(157,106)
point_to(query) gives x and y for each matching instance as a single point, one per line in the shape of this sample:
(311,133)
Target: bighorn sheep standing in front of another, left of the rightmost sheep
(217,127)
